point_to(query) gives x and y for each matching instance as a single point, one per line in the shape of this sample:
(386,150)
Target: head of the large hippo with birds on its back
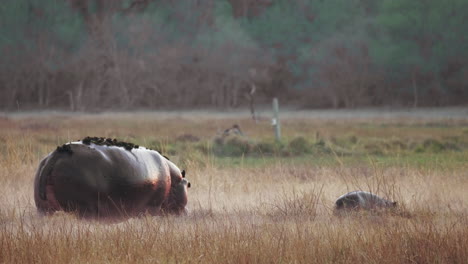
(177,199)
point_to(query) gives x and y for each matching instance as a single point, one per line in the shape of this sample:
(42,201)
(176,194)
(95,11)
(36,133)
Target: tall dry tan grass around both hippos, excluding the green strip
(280,211)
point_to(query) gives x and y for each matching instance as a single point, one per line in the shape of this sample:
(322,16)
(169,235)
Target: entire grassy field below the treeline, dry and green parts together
(254,201)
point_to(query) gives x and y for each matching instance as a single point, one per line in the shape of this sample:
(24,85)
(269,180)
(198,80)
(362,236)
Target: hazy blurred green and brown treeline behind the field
(142,54)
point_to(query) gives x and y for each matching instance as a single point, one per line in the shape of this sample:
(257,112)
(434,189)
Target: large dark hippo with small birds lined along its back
(99,177)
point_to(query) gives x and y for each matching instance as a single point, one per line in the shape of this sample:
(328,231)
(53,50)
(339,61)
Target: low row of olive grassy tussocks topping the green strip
(237,146)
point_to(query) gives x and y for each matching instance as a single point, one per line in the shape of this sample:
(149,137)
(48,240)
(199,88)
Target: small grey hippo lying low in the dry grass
(362,200)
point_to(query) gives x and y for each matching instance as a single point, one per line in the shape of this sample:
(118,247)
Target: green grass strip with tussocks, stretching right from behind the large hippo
(450,151)
